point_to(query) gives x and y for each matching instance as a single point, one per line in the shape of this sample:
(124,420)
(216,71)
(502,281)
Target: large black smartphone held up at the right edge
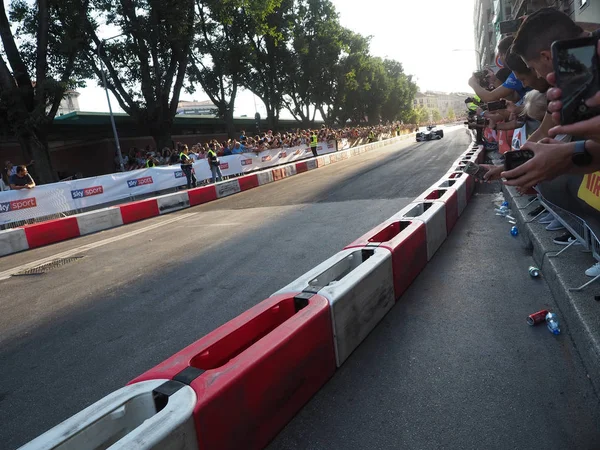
(577,75)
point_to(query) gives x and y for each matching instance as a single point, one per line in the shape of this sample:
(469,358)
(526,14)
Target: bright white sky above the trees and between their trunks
(422,35)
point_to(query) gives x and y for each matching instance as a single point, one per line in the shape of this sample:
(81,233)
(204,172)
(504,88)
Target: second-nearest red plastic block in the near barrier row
(407,240)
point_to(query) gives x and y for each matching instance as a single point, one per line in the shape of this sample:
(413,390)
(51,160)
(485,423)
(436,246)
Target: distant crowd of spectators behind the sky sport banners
(139,159)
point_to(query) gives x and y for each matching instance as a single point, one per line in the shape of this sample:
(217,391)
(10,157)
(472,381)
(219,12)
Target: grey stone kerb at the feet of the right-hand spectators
(578,310)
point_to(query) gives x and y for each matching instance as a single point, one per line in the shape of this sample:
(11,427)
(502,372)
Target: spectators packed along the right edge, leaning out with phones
(562,153)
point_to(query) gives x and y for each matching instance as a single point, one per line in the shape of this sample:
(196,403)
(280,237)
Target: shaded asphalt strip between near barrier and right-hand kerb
(454,364)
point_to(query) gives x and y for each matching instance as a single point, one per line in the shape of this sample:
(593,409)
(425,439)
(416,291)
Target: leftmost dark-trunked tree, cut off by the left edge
(39,63)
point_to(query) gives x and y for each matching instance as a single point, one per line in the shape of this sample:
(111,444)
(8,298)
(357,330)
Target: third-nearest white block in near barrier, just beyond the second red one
(433,214)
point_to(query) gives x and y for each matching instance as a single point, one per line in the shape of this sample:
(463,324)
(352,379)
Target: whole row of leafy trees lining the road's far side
(292,54)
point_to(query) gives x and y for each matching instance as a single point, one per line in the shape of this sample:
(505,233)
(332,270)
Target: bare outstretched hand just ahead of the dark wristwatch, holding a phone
(552,158)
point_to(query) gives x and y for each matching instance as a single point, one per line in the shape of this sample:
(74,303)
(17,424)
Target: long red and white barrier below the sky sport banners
(45,233)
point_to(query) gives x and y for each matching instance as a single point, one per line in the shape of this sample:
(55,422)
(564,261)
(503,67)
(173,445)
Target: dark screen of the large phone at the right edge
(577,78)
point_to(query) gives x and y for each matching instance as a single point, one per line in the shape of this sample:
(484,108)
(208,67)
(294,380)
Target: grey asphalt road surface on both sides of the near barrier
(431,371)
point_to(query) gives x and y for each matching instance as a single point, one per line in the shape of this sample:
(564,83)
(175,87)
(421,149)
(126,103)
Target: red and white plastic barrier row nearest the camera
(250,376)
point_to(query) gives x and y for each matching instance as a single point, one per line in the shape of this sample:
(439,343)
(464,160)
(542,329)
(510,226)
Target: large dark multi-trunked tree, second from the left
(147,68)
